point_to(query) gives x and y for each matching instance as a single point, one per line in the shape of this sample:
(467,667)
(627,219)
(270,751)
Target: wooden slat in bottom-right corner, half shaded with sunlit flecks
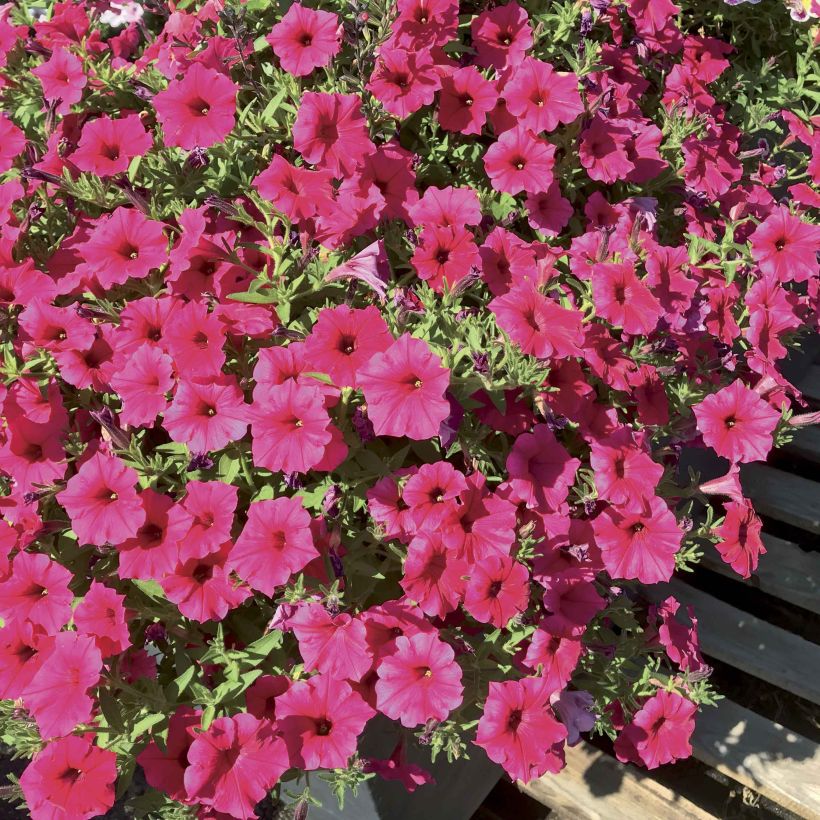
(774,761)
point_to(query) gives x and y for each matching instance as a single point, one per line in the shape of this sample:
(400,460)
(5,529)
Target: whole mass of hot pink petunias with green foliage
(350,351)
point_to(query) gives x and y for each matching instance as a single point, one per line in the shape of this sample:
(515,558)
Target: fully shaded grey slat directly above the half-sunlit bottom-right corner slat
(754,646)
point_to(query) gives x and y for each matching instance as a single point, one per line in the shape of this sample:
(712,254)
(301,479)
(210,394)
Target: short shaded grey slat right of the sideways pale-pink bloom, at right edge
(783,496)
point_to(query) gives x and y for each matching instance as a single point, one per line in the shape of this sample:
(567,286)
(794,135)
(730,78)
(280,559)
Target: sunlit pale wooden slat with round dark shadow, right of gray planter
(595,786)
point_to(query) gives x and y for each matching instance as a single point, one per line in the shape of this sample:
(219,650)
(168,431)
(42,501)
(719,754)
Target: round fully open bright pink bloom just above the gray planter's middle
(420,681)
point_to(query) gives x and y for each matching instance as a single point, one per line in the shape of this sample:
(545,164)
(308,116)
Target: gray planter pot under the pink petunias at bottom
(459,790)
